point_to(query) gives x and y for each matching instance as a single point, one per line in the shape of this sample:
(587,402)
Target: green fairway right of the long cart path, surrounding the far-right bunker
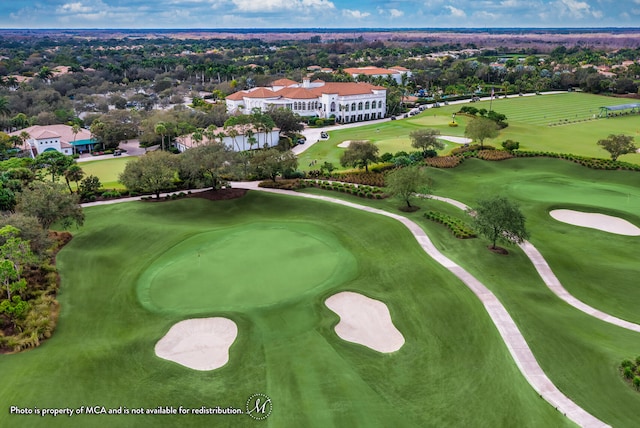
(579,353)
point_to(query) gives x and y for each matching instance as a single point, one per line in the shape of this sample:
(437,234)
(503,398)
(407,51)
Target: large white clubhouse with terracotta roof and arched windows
(347,102)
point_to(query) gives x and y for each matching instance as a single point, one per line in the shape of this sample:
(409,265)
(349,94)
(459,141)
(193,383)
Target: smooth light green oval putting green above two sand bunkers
(255,265)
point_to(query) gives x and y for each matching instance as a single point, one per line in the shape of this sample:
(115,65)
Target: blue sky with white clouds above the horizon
(317,13)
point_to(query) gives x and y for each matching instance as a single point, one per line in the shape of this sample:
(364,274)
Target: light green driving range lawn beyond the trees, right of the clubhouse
(528,118)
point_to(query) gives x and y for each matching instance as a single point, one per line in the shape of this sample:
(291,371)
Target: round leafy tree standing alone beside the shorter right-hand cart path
(500,220)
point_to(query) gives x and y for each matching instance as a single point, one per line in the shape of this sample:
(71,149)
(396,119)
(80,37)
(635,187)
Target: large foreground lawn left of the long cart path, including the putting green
(454,370)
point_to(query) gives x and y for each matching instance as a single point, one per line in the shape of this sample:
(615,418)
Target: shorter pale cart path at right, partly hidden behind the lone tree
(554,284)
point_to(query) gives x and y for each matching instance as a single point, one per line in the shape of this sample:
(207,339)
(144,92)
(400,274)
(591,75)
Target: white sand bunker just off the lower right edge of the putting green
(365,321)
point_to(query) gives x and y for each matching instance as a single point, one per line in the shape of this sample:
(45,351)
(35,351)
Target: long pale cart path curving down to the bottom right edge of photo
(520,351)
